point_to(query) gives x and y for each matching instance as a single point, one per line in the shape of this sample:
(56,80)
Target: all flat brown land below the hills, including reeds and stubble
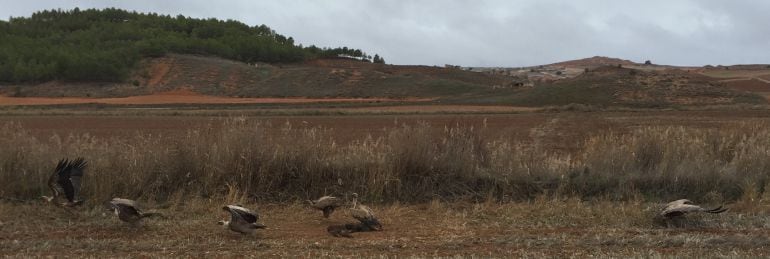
(566,184)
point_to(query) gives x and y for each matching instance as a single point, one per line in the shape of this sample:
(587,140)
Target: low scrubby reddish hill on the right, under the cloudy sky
(614,86)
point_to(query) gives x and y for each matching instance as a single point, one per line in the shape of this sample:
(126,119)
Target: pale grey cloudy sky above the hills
(491,33)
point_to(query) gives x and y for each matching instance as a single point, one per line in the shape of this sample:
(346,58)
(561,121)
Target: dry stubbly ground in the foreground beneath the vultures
(542,228)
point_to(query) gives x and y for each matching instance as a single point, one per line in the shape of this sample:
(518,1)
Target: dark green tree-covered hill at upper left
(105,45)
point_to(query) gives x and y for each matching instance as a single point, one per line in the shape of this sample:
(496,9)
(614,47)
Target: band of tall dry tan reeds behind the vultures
(412,163)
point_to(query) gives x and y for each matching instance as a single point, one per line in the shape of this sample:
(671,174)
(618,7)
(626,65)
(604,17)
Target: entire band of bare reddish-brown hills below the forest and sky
(348,78)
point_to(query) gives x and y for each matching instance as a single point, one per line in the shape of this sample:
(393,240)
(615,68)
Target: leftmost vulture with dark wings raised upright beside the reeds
(66,179)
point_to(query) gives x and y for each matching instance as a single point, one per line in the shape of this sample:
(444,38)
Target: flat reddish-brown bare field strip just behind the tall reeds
(559,131)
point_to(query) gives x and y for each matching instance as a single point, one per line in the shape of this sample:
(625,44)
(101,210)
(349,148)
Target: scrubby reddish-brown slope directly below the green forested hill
(320,78)
